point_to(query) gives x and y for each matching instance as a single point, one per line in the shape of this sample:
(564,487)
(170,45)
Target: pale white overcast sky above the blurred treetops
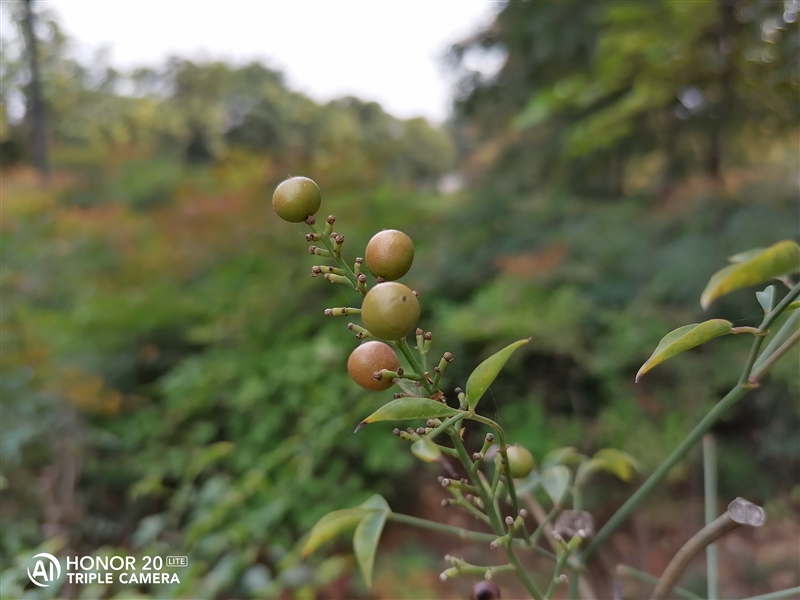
(382,50)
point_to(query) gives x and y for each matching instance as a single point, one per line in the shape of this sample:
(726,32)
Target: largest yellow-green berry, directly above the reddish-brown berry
(390,310)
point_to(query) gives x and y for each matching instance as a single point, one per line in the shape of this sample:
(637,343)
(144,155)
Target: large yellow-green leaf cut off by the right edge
(779,259)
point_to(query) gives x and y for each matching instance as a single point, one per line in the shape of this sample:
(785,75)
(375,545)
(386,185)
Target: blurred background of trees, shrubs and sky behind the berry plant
(570,171)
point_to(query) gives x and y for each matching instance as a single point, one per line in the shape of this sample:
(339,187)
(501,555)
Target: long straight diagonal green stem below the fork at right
(683,448)
